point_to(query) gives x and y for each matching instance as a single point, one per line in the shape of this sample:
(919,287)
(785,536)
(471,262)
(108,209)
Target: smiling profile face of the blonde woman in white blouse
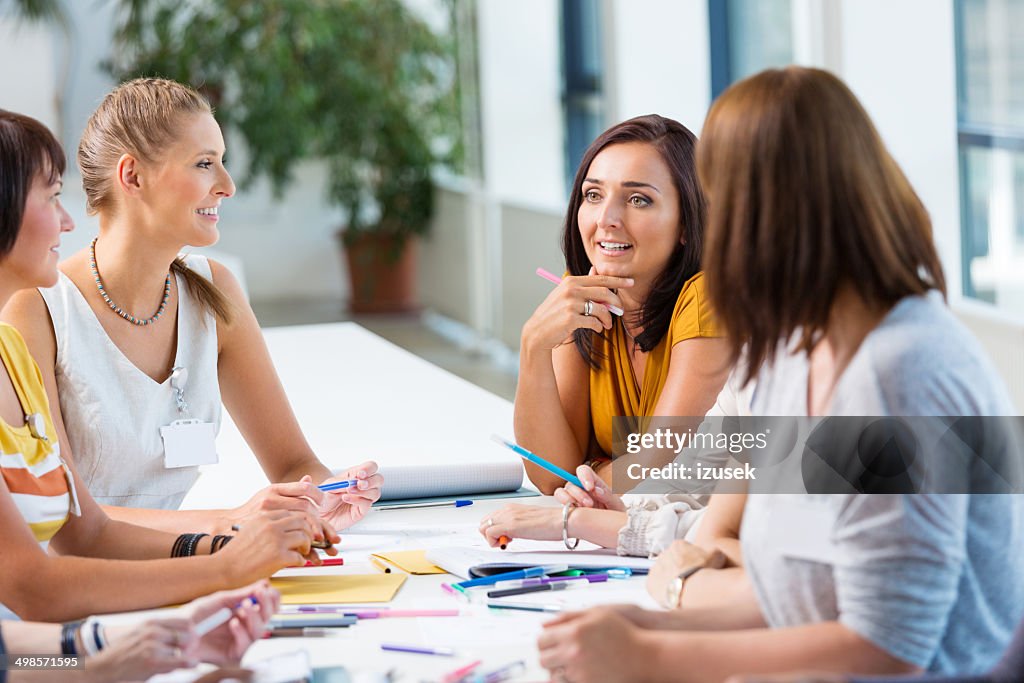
(186,188)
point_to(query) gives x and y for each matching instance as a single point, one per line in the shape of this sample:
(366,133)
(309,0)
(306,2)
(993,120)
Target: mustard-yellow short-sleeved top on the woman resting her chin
(614,390)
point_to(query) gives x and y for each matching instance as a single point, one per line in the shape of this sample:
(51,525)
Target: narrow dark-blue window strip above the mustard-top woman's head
(582,77)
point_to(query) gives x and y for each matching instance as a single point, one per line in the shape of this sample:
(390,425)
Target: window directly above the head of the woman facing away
(748,36)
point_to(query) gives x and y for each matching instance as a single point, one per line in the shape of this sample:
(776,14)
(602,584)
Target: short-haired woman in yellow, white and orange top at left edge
(44,505)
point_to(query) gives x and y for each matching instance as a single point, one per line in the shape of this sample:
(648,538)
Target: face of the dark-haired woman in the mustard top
(629,219)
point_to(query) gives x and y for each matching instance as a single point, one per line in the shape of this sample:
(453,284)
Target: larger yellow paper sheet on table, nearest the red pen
(338,588)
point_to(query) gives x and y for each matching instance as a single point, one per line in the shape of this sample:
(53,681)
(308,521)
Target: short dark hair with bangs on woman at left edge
(28,151)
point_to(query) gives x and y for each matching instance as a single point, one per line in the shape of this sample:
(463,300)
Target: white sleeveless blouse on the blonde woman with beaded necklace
(113,411)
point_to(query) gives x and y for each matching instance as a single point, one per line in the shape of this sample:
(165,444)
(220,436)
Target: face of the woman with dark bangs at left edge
(33,260)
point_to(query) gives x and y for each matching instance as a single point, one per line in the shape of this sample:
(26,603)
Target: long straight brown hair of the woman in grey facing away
(805,199)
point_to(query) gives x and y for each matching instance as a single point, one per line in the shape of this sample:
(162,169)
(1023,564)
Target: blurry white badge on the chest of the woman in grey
(802,529)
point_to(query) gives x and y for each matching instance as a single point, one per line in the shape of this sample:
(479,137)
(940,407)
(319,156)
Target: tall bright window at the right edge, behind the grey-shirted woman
(991,134)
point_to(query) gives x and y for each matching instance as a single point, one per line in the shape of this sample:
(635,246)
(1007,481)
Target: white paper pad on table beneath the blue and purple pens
(471,564)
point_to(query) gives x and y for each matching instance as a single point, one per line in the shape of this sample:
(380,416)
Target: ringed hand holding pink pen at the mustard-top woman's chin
(578,303)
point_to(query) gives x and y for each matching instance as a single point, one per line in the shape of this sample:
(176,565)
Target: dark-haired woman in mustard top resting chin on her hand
(632,239)
